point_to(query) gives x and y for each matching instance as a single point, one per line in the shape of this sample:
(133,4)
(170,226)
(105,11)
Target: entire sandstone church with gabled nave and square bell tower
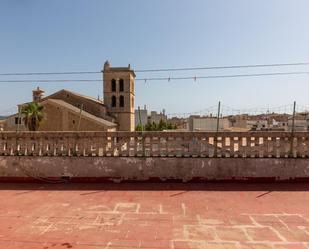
(69,111)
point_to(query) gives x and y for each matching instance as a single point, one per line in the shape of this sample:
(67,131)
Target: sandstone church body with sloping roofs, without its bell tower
(60,114)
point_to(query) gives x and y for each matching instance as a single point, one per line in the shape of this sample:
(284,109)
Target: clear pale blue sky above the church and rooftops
(79,35)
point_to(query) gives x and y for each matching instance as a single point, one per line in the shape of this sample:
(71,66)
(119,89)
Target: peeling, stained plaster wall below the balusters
(135,168)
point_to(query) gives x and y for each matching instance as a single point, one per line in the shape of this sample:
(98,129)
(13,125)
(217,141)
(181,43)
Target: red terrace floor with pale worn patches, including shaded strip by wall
(154,215)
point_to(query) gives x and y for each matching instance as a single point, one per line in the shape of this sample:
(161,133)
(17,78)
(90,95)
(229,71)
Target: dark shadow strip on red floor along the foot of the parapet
(156,186)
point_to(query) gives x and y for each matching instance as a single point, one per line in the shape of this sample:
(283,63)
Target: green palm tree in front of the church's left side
(32,115)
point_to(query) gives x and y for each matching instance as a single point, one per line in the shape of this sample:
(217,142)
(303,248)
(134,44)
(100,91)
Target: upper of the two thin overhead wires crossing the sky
(164,69)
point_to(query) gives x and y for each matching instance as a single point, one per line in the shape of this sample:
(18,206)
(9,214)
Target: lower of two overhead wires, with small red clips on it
(164,78)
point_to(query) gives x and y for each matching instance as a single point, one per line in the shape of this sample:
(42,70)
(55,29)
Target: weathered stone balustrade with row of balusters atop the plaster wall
(156,144)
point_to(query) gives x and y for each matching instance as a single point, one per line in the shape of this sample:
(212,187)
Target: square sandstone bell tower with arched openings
(118,85)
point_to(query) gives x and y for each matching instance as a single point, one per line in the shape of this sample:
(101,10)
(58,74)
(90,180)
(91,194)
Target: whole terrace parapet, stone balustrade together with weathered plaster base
(117,156)
